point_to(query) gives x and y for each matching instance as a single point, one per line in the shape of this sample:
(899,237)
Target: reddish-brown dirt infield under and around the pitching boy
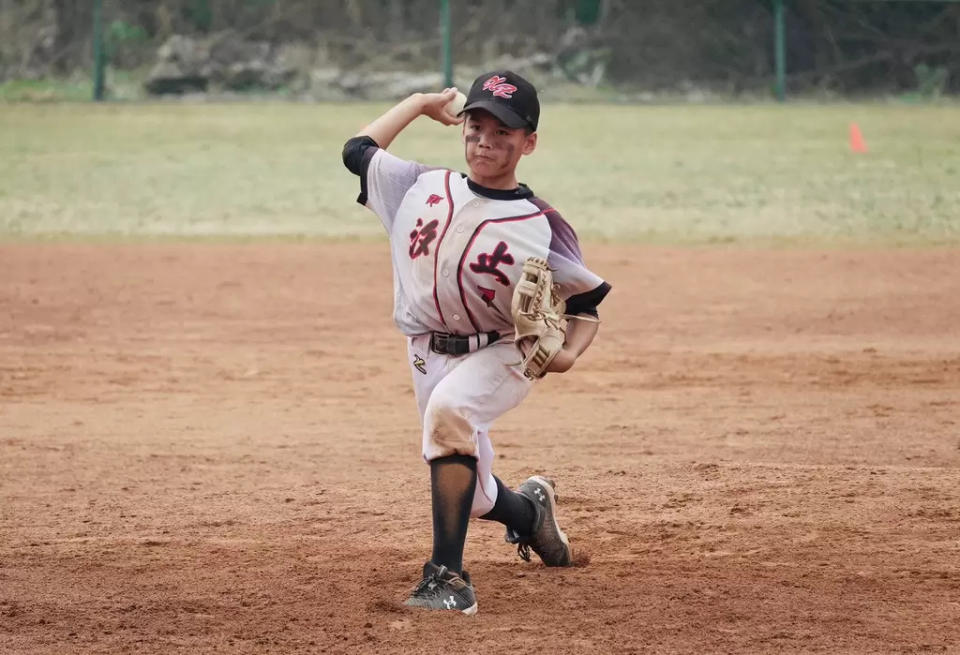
(214,447)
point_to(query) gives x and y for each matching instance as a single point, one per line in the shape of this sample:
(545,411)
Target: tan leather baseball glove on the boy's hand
(538,316)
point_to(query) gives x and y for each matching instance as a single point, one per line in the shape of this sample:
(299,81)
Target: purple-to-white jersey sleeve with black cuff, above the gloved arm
(583,289)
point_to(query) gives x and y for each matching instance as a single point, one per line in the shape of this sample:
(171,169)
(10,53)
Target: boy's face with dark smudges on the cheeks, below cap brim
(491,148)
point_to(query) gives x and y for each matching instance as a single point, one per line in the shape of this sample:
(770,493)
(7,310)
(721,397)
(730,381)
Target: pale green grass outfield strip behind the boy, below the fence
(667,174)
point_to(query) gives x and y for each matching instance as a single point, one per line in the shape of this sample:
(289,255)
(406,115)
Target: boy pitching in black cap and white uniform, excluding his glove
(459,244)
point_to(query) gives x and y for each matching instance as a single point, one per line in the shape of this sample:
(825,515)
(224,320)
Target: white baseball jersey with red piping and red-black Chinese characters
(459,248)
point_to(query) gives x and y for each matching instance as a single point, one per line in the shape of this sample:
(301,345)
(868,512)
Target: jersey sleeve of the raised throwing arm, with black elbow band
(384,178)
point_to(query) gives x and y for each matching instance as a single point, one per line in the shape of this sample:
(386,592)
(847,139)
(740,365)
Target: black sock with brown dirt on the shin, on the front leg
(453,480)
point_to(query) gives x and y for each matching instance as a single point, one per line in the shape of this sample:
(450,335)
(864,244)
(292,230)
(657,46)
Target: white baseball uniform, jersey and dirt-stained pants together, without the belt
(458,250)
